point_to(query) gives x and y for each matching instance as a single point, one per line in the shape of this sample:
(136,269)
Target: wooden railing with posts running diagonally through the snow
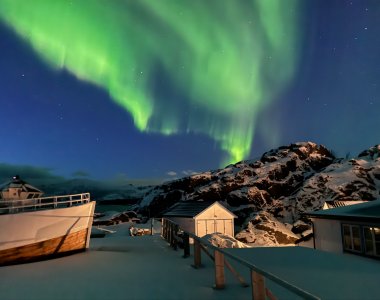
(170,232)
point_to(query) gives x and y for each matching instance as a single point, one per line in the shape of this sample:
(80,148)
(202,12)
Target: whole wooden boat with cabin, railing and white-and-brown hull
(35,228)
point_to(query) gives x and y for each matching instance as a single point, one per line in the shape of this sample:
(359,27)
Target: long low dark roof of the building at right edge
(369,211)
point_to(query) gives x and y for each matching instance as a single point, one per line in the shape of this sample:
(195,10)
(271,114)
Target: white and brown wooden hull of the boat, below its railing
(44,234)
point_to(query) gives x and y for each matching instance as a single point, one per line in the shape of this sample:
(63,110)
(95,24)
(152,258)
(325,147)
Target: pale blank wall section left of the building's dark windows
(327,235)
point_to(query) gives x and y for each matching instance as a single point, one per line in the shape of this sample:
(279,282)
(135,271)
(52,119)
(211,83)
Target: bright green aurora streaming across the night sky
(229,59)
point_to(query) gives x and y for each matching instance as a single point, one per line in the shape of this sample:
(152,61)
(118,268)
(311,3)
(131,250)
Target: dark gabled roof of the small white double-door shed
(191,208)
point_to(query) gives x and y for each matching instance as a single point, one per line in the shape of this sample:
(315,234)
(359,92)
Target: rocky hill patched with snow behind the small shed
(270,194)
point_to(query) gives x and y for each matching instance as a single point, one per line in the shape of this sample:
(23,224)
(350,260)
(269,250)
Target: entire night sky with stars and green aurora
(152,90)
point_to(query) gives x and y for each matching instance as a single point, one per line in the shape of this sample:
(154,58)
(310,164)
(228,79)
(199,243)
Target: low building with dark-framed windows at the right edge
(354,229)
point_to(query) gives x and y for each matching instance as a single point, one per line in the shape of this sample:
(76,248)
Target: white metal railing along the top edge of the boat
(22,205)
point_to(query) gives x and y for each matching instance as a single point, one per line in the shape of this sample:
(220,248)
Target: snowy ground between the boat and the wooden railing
(119,267)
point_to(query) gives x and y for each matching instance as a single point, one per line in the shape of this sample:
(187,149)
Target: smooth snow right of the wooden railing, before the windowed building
(326,275)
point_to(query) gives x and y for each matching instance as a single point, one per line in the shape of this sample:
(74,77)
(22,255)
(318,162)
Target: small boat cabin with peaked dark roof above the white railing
(17,189)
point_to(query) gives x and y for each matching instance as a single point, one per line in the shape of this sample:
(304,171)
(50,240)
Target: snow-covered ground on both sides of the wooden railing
(124,267)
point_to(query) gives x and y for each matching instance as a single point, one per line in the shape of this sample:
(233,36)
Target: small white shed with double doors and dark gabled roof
(201,217)
